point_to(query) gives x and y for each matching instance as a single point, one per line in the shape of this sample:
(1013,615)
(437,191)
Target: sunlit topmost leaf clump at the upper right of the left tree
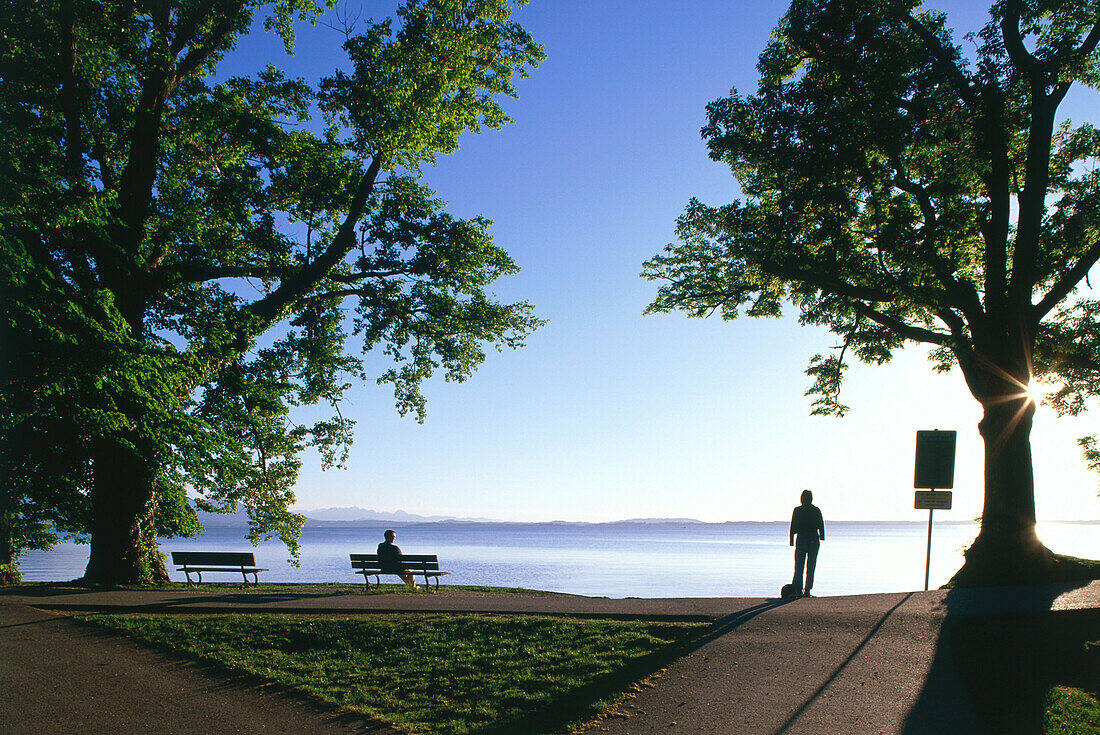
(452,58)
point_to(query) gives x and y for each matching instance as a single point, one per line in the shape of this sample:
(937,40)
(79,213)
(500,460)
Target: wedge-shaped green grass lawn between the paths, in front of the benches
(434,674)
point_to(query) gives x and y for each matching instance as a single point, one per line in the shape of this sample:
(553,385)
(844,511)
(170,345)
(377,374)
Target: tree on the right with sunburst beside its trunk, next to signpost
(899,189)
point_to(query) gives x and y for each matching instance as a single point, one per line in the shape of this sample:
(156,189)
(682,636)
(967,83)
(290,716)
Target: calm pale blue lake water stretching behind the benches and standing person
(615,561)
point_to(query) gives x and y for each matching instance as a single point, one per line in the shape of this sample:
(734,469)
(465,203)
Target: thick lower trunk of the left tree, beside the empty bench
(124,541)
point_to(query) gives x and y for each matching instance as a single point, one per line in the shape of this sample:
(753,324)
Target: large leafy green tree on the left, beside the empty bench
(186,257)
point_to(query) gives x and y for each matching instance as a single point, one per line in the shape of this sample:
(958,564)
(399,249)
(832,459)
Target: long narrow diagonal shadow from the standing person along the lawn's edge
(585,703)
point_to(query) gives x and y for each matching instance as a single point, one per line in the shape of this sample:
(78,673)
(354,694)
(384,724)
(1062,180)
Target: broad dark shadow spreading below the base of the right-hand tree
(993,671)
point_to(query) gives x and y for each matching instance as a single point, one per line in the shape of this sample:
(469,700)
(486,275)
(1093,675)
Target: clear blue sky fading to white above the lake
(609,414)
